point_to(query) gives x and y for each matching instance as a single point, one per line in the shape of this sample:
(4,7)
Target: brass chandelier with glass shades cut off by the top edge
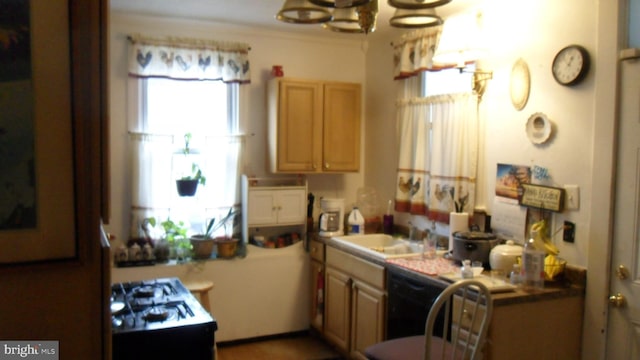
(359,16)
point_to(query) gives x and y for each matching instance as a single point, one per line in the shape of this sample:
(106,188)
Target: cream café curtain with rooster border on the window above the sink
(438,155)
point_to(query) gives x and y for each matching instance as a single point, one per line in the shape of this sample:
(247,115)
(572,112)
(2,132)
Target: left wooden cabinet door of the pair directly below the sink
(337,317)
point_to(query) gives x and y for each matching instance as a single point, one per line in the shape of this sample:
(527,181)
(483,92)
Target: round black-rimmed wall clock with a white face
(570,65)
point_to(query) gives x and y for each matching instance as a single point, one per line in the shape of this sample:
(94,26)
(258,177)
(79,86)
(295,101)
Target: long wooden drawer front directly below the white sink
(361,269)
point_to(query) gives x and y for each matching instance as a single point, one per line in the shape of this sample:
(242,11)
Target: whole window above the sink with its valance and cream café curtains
(437,123)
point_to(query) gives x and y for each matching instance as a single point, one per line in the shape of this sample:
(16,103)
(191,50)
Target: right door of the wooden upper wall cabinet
(341,133)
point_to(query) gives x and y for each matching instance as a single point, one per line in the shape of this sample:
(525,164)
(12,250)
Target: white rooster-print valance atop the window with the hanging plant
(189,59)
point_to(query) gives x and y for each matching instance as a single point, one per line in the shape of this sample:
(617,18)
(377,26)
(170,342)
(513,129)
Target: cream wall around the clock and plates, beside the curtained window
(533,30)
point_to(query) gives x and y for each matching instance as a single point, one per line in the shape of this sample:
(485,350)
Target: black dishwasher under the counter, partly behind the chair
(409,301)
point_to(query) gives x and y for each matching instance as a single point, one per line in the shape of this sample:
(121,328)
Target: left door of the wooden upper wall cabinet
(299,126)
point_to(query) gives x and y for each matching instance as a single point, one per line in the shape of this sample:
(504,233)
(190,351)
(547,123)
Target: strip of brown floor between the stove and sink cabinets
(295,347)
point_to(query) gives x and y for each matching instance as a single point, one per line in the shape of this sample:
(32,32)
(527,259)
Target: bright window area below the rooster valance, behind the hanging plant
(168,110)
